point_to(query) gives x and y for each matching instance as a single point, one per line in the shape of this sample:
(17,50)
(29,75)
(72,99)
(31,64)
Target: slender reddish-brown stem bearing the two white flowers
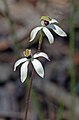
(31,79)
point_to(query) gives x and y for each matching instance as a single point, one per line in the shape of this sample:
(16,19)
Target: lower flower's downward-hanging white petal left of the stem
(24,69)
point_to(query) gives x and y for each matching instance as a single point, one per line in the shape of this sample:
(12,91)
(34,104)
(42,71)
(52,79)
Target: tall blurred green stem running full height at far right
(72,53)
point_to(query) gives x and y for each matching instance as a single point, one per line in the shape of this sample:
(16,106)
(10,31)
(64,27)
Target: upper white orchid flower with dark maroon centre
(46,24)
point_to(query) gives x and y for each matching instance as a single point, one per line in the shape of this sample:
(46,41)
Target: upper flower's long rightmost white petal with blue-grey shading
(57,30)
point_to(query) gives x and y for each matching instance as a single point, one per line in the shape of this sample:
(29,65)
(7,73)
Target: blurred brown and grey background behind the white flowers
(56,97)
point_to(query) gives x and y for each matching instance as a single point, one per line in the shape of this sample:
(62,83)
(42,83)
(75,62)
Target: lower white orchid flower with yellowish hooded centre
(35,62)
